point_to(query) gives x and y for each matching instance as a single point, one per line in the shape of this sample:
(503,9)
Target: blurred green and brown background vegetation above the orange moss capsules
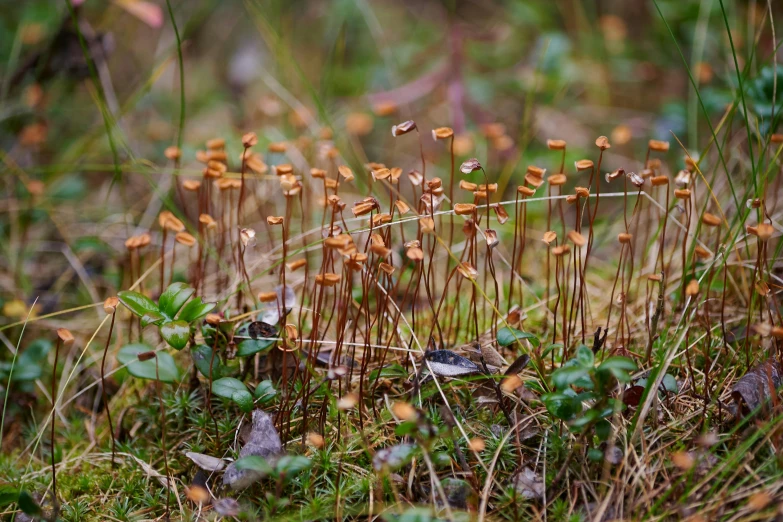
(505,75)
